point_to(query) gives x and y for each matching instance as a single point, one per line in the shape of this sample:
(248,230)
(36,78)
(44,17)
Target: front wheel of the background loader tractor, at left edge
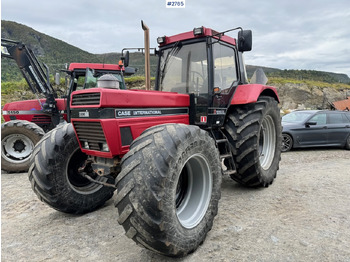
(18,138)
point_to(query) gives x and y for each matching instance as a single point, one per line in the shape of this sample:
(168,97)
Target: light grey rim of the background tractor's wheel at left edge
(17,148)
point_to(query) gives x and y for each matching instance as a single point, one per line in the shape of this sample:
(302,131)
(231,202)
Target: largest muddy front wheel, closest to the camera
(169,188)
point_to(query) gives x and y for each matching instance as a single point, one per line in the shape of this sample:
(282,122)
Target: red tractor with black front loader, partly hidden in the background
(27,121)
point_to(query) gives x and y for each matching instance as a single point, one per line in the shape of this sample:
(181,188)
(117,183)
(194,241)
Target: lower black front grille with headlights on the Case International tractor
(92,133)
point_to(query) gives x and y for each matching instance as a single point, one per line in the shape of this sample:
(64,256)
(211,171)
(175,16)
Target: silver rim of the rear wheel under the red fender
(267,142)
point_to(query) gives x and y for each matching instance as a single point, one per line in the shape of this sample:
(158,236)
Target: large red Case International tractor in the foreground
(165,151)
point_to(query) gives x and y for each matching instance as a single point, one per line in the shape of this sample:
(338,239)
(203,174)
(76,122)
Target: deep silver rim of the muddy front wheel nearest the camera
(193,191)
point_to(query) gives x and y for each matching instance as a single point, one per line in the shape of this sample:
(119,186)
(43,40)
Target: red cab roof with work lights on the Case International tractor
(198,32)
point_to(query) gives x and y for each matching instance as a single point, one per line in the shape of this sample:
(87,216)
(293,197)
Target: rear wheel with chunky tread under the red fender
(255,135)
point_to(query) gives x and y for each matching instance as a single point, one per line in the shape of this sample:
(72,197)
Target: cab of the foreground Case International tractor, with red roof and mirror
(205,64)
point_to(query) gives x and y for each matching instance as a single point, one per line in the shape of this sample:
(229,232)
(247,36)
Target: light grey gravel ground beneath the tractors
(302,216)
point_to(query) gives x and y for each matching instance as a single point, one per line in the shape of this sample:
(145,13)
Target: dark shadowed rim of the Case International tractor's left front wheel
(76,181)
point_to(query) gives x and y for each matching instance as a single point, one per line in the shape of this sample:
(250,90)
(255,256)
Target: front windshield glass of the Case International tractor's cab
(183,69)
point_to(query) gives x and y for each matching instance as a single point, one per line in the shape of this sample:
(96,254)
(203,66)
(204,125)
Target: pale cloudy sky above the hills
(287,34)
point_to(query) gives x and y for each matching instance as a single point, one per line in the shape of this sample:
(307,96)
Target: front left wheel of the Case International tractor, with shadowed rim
(54,174)
